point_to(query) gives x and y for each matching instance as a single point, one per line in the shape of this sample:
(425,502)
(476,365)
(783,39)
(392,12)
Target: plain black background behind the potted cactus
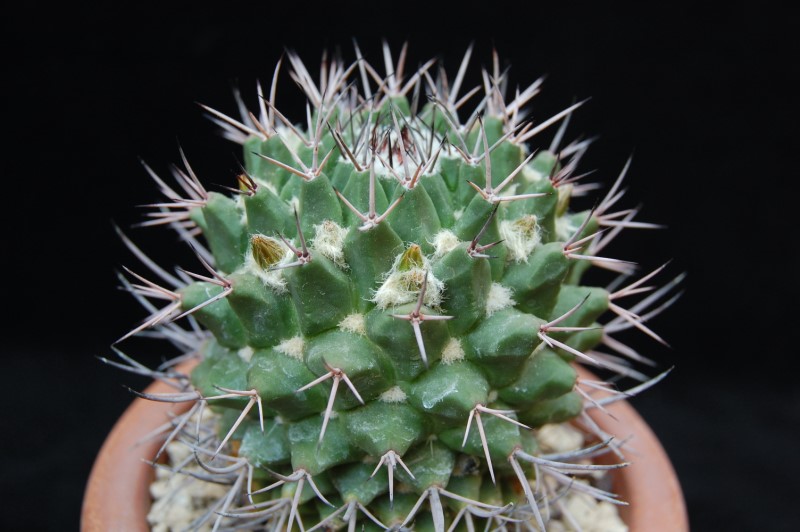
(703,97)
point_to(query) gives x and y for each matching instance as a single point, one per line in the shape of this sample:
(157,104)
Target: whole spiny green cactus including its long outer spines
(390,302)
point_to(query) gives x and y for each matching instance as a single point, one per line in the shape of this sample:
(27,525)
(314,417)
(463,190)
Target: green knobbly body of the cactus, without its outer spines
(423,289)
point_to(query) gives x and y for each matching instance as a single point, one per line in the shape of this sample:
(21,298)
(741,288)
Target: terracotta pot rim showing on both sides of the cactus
(117,496)
